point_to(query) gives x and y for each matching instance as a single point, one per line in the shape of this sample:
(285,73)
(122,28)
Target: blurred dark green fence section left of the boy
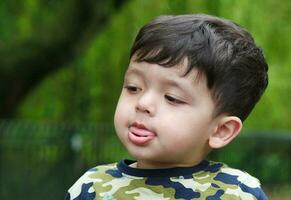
(42,160)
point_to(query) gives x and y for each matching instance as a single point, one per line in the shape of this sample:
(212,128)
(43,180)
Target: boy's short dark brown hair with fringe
(224,52)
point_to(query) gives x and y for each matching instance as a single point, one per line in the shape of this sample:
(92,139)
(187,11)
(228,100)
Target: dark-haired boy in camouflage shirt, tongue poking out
(191,81)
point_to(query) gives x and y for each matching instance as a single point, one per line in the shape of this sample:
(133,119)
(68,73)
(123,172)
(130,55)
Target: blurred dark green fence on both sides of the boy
(41,160)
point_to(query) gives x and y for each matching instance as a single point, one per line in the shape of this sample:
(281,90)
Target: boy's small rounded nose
(146,104)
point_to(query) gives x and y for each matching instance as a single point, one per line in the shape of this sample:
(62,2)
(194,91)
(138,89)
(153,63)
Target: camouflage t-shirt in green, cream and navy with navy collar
(208,180)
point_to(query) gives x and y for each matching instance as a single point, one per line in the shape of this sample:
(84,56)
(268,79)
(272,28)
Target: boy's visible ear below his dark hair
(227,128)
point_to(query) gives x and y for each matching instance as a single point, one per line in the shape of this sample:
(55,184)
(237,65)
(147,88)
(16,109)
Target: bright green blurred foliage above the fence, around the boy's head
(88,88)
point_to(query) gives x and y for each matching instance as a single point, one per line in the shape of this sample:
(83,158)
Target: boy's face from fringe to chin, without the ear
(163,118)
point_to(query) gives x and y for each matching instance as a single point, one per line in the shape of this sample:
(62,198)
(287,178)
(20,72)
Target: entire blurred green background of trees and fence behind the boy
(61,71)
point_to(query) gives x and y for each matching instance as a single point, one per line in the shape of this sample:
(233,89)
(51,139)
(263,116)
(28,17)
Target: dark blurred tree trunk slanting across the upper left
(23,65)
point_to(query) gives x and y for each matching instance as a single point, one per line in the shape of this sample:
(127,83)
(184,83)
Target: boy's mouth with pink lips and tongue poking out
(140,136)
